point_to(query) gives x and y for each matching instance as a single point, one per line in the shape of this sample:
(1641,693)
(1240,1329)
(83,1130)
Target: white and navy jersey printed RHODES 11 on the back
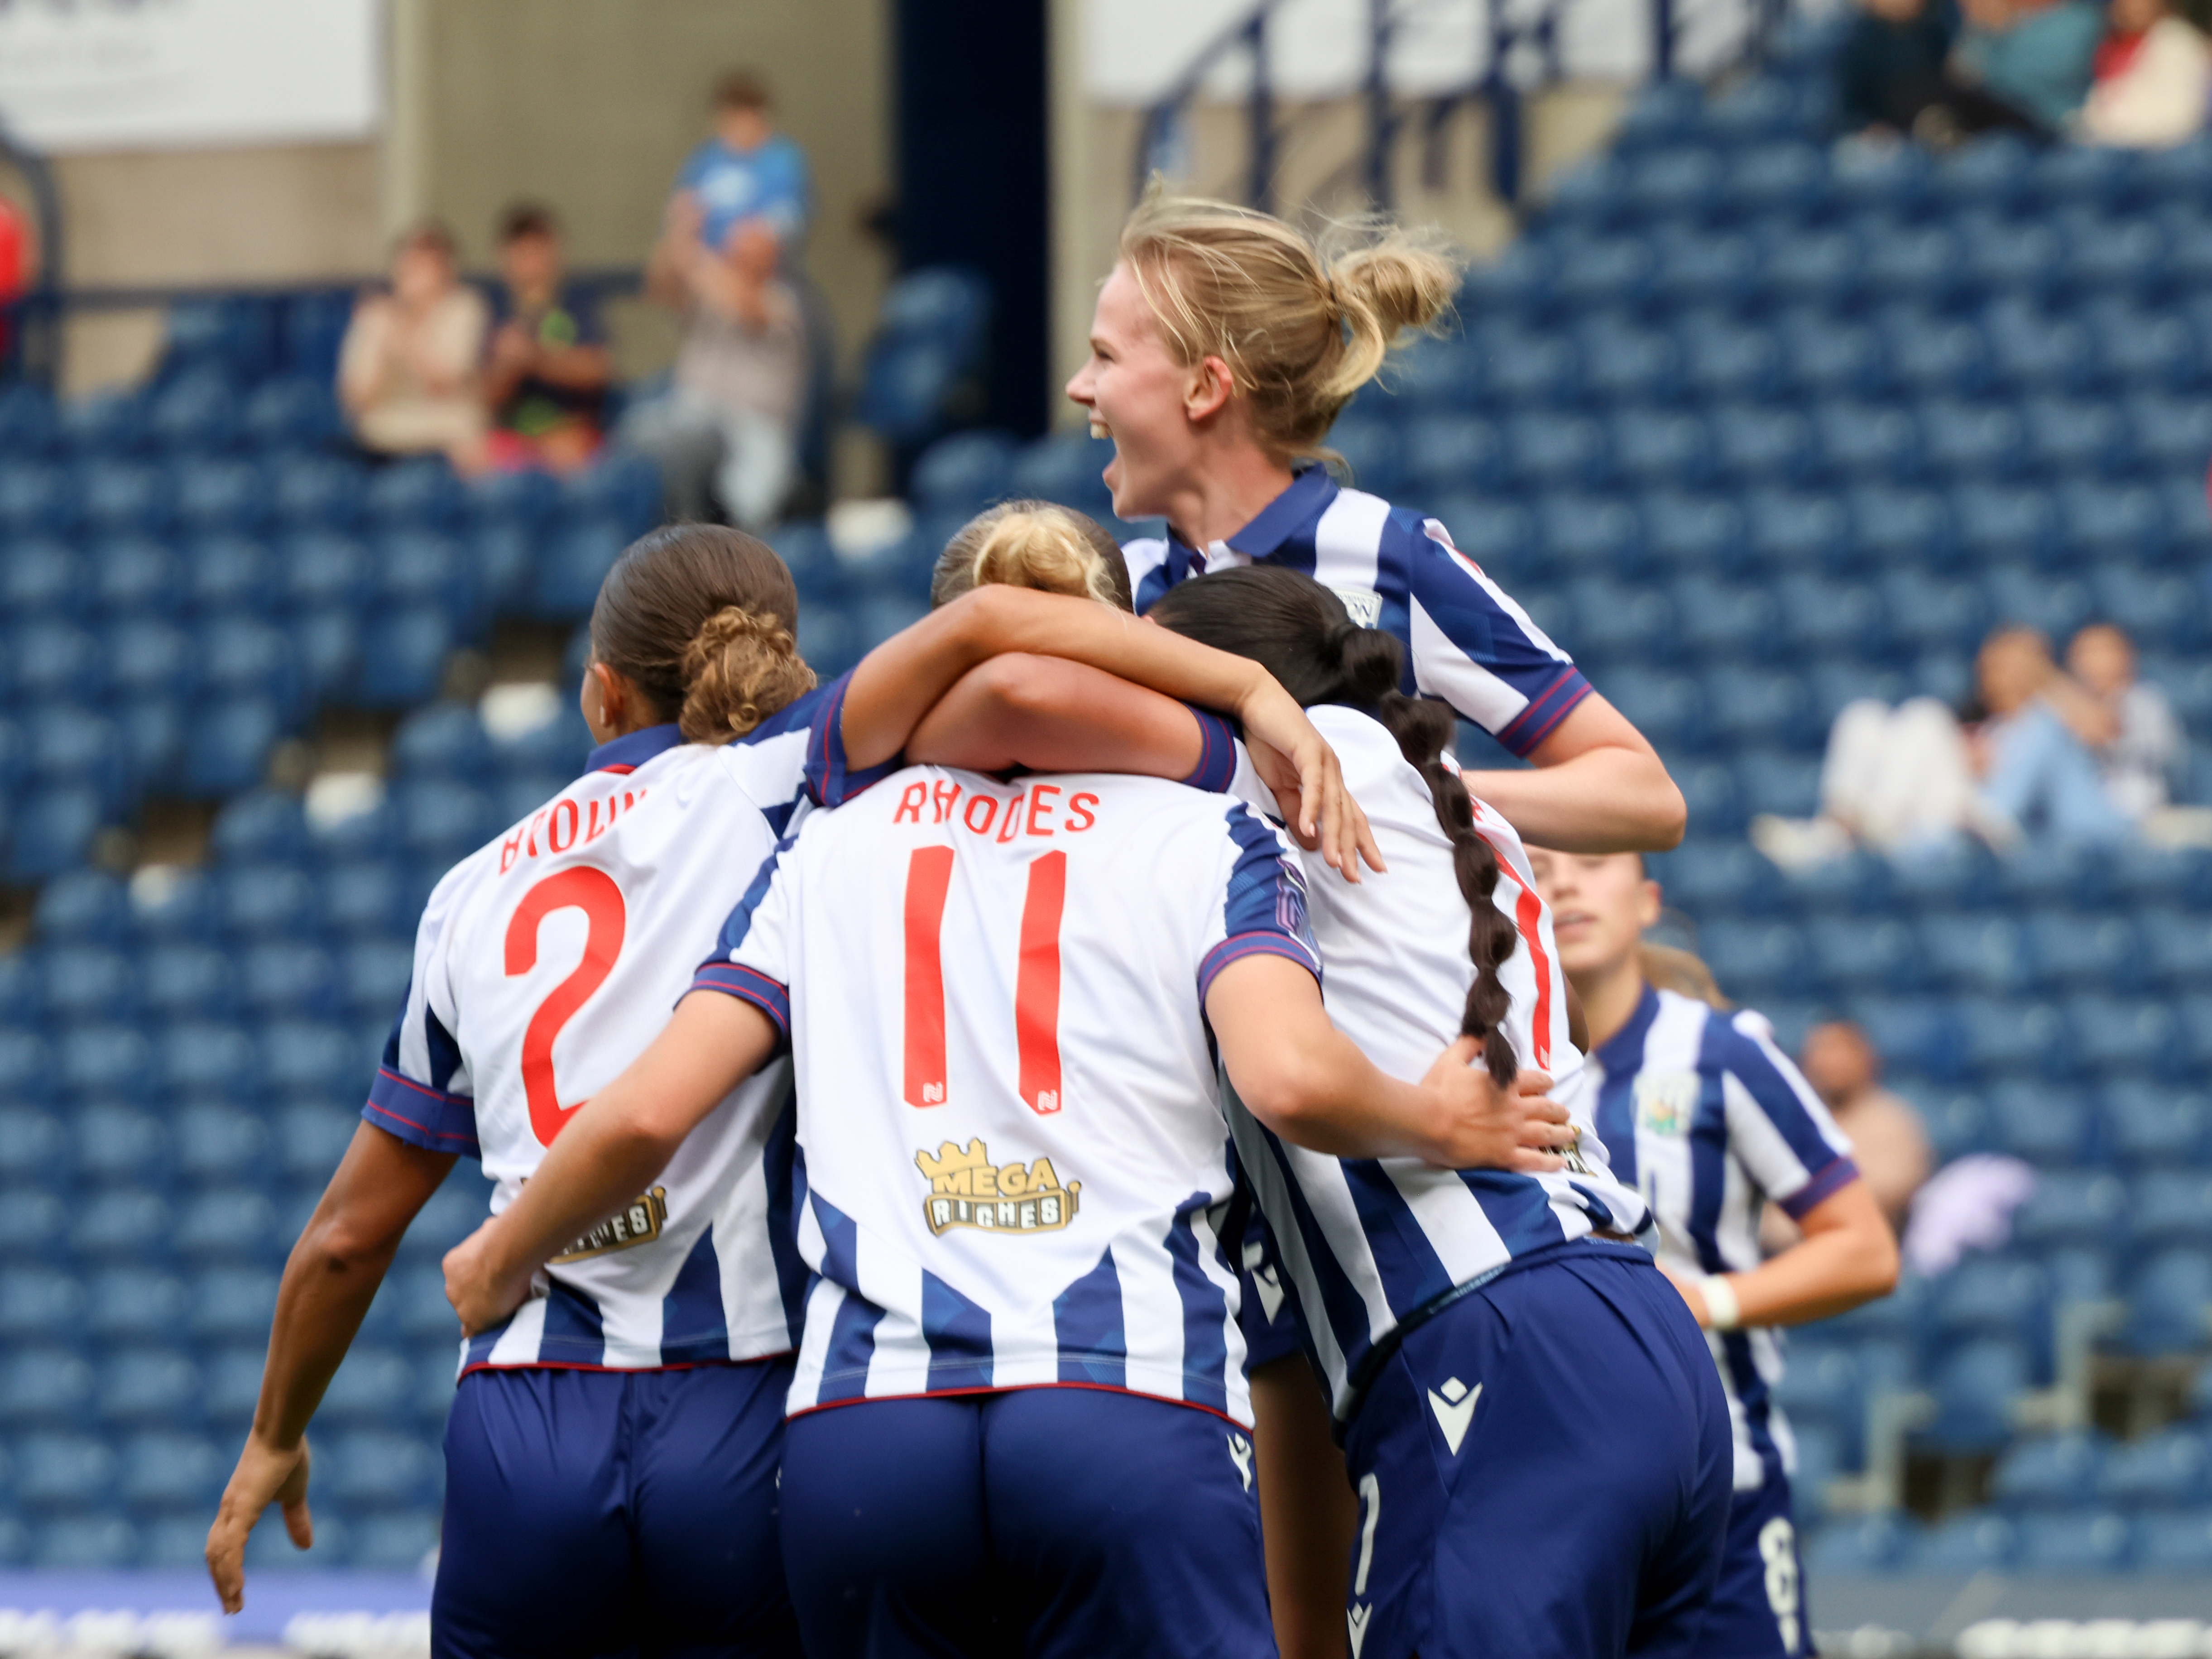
(1014,1165)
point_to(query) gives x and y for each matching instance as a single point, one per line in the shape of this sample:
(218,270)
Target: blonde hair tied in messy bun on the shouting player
(1302,322)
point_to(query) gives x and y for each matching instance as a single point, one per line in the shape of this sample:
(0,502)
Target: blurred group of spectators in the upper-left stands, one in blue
(523,377)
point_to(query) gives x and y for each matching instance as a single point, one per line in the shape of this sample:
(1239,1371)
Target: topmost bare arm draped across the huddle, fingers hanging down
(906,676)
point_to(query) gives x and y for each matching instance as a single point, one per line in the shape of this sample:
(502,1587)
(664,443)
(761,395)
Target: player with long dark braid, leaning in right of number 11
(1536,1443)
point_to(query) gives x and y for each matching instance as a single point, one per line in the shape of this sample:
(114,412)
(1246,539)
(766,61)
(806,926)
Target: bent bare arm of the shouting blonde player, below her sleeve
(1598,786)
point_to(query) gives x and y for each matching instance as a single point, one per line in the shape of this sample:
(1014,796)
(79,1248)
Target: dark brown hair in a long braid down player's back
(1302,634)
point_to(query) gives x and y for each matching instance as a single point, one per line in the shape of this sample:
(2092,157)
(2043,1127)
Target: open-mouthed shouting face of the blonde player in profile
(1138,395)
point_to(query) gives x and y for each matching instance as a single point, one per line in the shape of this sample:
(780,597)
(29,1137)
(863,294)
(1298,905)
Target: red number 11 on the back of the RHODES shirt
(1036,985)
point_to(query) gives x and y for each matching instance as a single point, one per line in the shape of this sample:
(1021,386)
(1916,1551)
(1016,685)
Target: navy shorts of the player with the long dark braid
(1543,1470)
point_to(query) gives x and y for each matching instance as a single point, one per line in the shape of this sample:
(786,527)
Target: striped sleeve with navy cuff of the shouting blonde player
(1474,647)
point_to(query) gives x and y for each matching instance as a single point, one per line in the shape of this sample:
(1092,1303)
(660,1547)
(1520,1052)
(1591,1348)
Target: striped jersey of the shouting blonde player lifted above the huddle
(1468,643)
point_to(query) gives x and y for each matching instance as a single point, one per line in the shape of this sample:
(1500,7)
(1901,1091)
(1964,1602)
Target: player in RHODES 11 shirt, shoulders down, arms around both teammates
(1005,1005)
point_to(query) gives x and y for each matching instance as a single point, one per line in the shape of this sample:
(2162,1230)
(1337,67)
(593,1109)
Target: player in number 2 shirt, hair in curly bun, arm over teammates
(545,963)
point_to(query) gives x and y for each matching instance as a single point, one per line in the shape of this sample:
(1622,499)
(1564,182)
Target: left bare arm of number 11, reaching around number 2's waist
(609,1151)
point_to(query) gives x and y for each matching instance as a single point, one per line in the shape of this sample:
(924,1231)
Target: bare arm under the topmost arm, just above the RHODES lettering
(1056,716)
